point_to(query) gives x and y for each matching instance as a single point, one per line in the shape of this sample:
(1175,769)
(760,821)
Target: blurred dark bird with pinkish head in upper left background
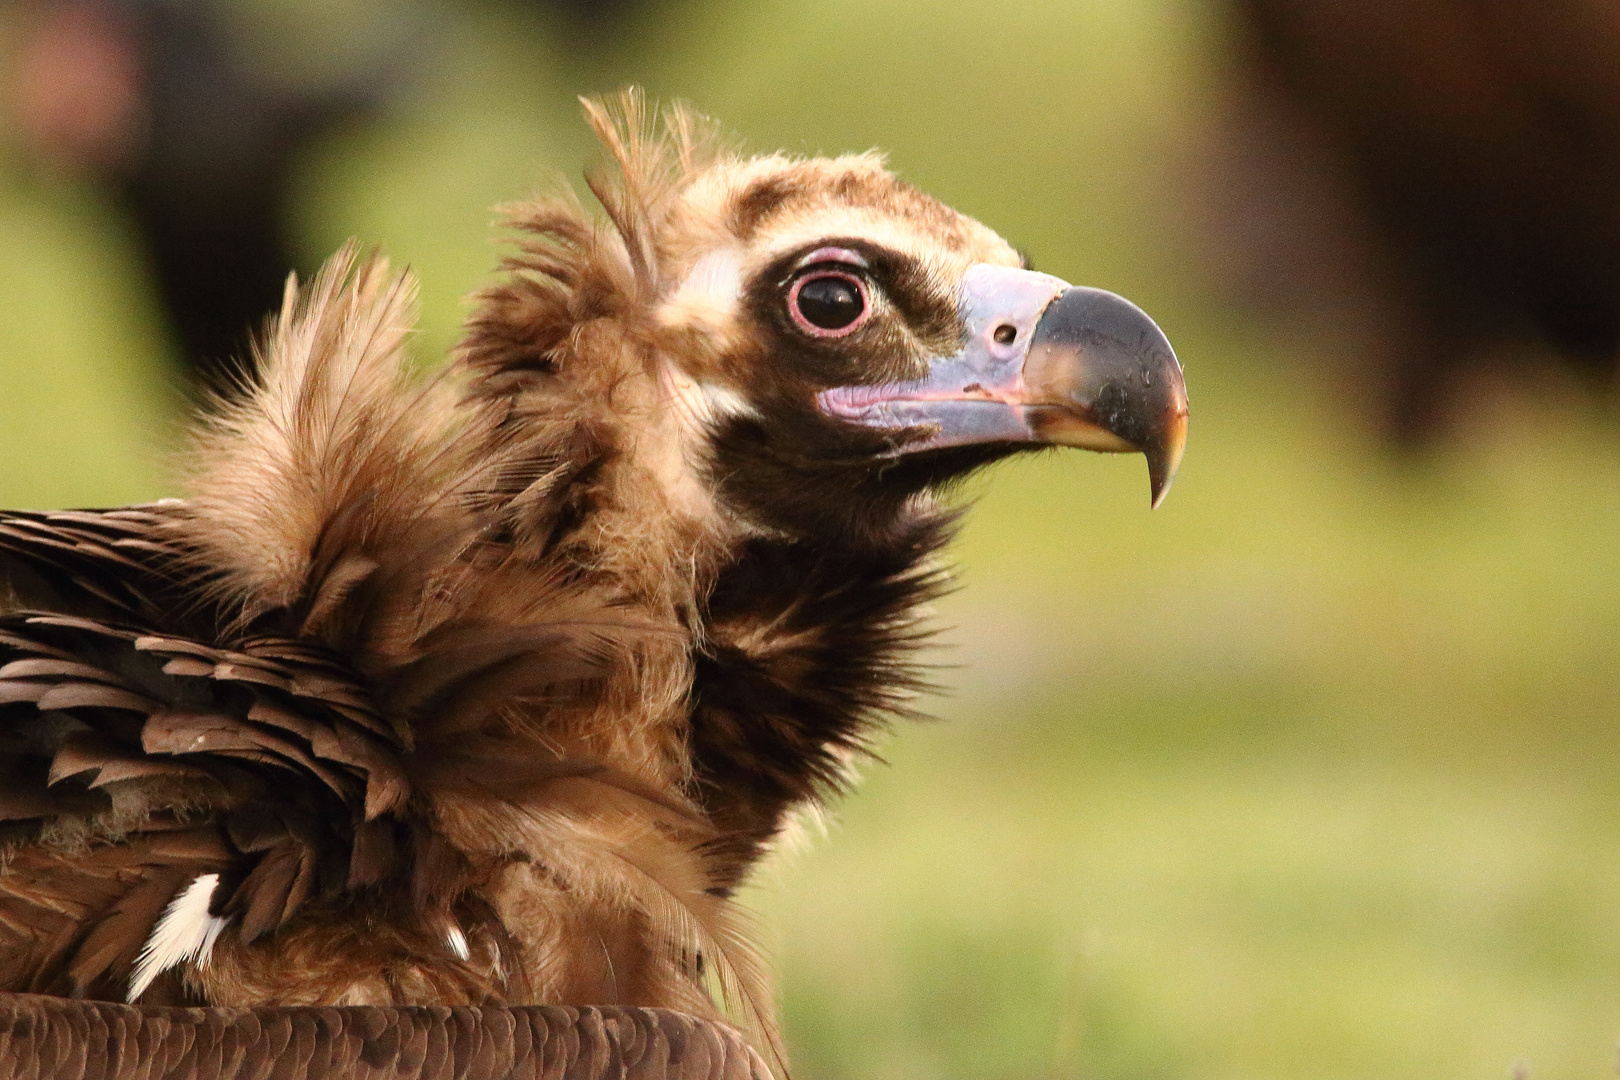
(163,103)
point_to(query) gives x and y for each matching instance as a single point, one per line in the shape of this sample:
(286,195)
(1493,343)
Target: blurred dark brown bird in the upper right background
(1480,148)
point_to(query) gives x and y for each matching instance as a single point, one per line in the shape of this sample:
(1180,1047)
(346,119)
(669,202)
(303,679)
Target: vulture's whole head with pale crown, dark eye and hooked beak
(824,341)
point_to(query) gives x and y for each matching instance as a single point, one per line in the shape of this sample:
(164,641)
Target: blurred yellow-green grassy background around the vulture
(1313,773)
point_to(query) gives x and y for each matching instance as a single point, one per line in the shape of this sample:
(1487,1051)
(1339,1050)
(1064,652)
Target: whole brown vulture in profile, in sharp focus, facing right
(432,733)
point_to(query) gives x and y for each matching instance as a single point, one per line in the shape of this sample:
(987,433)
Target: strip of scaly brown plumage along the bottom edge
(48,1037)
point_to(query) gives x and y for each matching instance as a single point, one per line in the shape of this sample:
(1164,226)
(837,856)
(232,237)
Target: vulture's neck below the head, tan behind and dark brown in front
(782,653)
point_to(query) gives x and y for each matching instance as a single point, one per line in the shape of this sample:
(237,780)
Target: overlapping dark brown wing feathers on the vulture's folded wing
(116,720)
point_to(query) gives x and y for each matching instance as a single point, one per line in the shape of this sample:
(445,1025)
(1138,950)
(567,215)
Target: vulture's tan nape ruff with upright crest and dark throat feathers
(796,645)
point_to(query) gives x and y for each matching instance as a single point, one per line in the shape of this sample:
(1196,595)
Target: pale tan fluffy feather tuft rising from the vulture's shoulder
(338,430)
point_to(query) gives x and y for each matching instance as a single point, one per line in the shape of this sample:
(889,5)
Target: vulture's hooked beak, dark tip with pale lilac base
(1044,364)
